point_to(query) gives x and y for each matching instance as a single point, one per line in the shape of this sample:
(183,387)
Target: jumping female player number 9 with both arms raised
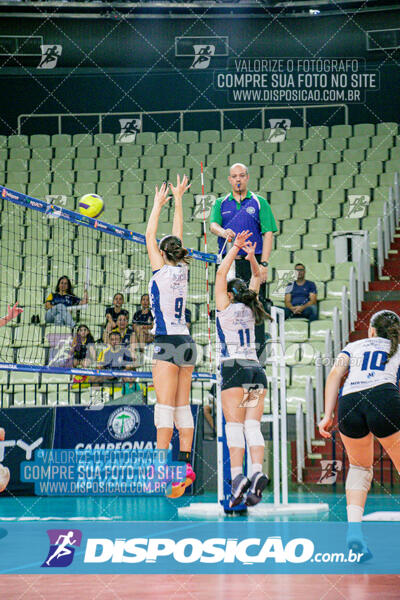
(174,349)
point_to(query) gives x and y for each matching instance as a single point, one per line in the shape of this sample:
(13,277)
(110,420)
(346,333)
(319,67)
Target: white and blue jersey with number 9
(168,291)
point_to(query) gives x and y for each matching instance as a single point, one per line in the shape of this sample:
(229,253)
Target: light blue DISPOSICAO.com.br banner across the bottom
(197,547)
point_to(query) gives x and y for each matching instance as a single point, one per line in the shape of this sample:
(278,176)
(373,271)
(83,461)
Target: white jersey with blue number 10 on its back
(368,367)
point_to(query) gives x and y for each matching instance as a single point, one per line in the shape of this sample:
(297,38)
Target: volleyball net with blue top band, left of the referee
(41,243)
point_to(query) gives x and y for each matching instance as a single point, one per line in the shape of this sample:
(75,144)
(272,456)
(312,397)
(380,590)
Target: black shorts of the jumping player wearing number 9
(179,350)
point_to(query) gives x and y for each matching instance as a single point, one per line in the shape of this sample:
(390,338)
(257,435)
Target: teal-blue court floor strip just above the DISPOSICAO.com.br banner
(27,508)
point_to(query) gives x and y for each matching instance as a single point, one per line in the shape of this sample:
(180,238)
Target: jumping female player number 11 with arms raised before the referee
(243,379)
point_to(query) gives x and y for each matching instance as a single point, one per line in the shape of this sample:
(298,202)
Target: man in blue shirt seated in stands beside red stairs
(301,297)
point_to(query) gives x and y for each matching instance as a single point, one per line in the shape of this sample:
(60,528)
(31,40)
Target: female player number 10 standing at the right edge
(369,405)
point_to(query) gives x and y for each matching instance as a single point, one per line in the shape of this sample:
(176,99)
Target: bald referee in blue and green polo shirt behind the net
(243,210)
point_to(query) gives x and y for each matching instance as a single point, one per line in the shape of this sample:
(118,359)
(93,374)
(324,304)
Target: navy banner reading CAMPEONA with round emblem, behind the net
(126,431)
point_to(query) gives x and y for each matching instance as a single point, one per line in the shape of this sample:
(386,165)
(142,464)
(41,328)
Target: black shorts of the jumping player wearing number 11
(243,373)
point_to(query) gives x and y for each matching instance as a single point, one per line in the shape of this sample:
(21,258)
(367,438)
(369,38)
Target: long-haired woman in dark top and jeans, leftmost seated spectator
(57,304)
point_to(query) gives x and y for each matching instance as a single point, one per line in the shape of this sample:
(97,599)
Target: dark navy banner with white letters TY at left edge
(26,431)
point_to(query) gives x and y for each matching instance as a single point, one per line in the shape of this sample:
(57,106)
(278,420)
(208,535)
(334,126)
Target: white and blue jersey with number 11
(235,327)
